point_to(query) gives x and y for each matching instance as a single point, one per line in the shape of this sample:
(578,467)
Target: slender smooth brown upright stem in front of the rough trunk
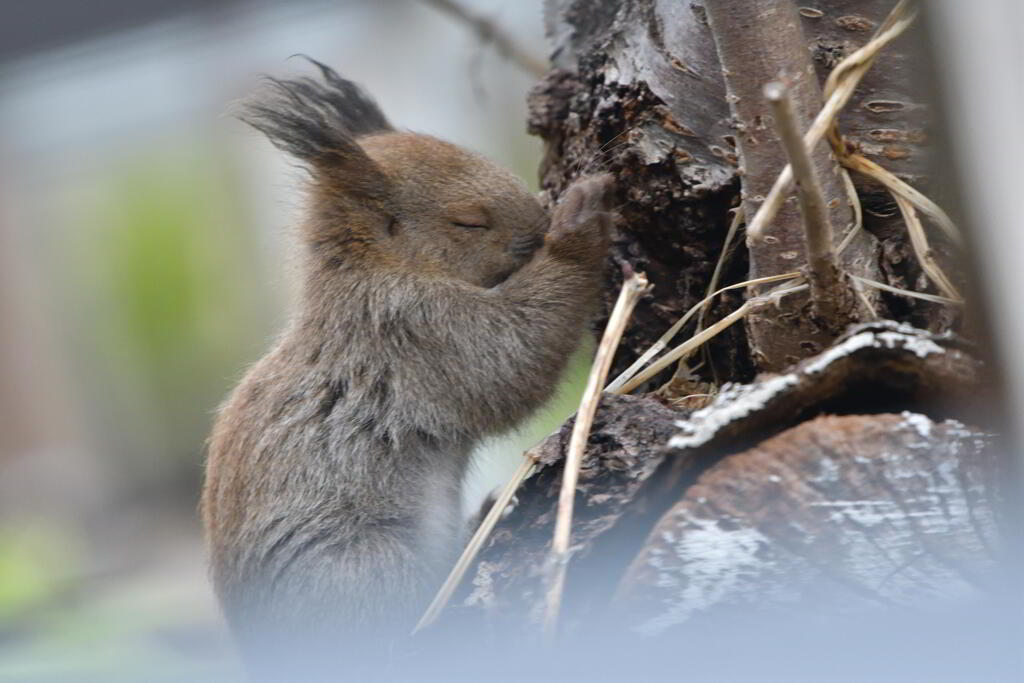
(758,42)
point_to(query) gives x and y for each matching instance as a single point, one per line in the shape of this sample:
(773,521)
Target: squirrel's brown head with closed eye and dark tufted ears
(387,199)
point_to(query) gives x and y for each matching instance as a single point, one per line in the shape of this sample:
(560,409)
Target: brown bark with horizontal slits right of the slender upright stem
(891,119)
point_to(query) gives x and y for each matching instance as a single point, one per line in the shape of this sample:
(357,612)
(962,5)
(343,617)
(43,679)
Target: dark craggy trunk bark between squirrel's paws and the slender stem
(637,91)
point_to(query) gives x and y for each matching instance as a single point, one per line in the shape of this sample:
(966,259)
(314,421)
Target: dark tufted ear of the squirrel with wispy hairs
(318,123)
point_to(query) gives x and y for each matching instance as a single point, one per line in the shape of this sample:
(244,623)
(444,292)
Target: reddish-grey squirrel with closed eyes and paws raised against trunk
(440,304)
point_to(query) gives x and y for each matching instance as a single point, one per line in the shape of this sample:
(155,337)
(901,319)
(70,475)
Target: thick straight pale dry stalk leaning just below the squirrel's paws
(632,290)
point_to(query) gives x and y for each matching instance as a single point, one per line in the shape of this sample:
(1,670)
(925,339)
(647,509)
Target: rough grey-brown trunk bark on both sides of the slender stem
(637,90)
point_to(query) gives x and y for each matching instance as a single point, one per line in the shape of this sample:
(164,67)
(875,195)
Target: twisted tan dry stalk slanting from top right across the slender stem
(839,89)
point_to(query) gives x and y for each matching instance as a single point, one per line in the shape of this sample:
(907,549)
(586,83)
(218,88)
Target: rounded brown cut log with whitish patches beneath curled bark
(838,516)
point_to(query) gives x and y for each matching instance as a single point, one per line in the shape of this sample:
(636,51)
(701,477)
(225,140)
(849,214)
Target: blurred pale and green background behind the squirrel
(145,259)
